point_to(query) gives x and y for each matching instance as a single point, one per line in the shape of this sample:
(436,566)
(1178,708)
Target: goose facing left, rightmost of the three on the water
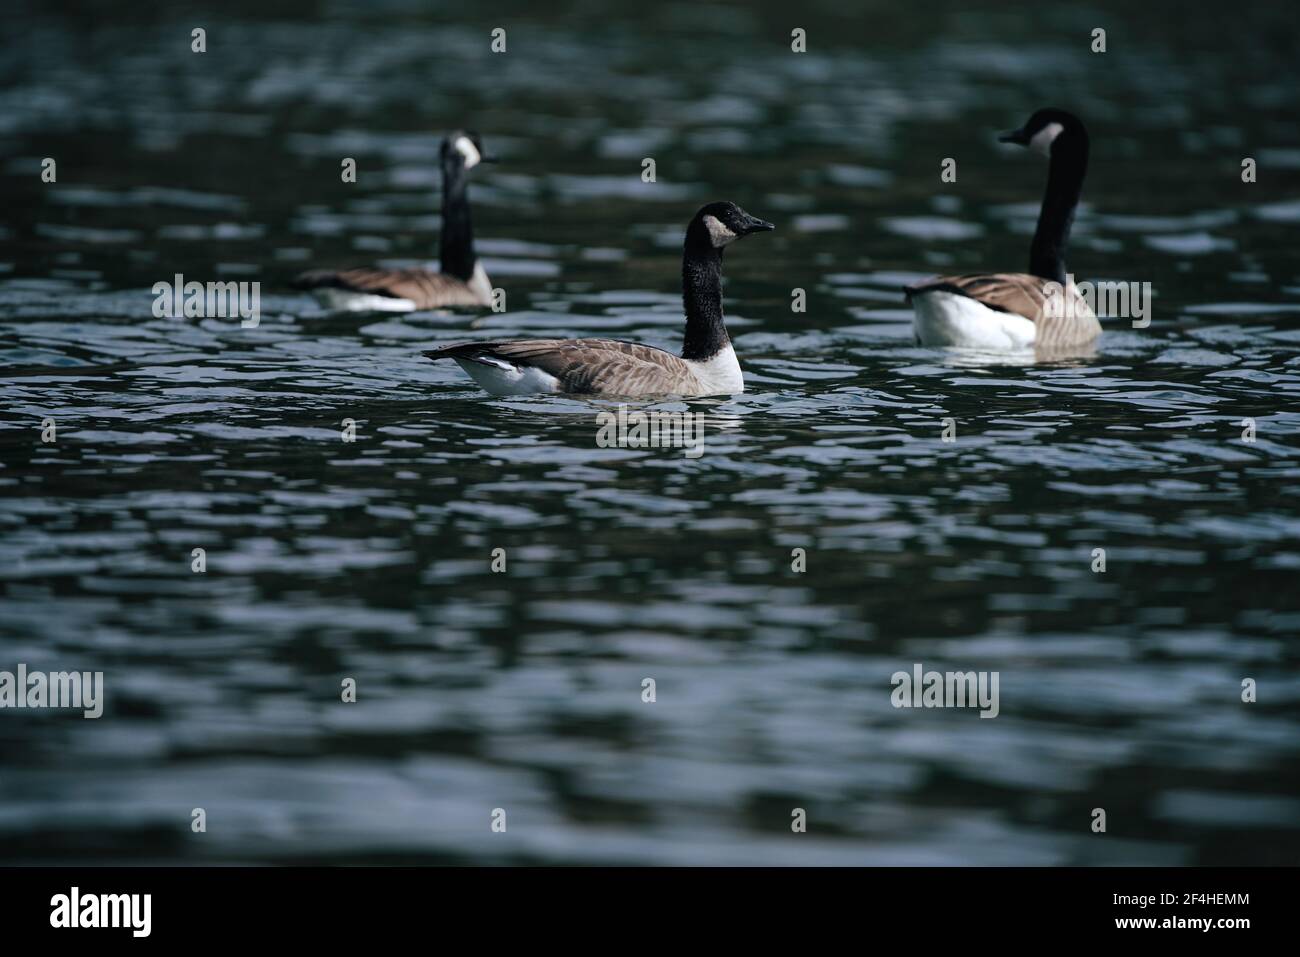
(1021,310)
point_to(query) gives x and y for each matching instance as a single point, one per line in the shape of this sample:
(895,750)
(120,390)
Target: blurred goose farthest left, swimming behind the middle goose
(462,280)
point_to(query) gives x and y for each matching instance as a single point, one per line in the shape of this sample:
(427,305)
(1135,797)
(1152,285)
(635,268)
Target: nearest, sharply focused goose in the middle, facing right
(708,363)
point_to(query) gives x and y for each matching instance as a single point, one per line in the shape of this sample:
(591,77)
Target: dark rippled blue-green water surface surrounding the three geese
(523,690)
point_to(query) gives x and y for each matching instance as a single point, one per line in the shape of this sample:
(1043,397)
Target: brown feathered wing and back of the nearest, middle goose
(606,367)
